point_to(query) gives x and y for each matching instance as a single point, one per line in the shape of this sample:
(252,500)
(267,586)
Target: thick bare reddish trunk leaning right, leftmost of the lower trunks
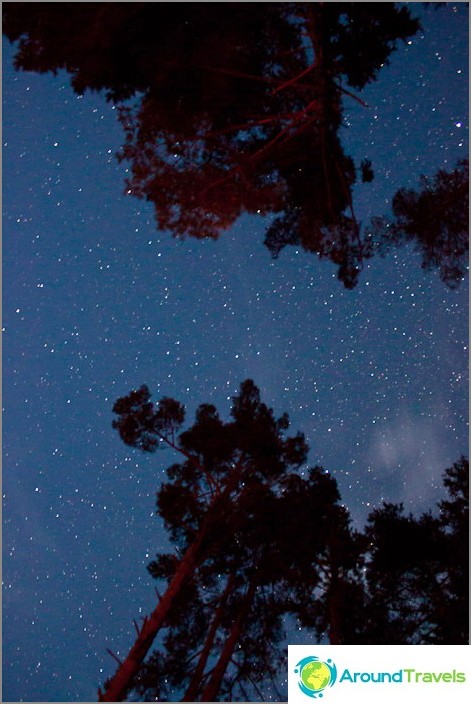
(121,682)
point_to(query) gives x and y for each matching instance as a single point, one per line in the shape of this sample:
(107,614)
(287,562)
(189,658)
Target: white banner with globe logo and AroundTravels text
(364,674)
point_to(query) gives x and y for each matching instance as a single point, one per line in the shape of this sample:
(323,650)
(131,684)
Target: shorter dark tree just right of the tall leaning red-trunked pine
(324,580)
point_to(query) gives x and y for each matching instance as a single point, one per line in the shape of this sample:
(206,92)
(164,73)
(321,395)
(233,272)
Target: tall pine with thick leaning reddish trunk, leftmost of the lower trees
(223,463)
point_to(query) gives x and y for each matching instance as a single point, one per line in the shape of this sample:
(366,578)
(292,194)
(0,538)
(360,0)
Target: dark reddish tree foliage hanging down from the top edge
(231,108)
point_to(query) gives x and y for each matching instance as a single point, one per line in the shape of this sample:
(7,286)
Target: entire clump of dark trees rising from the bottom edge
(259,540)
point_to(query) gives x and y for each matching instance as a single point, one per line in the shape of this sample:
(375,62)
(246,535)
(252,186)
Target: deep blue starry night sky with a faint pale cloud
(97,302)
